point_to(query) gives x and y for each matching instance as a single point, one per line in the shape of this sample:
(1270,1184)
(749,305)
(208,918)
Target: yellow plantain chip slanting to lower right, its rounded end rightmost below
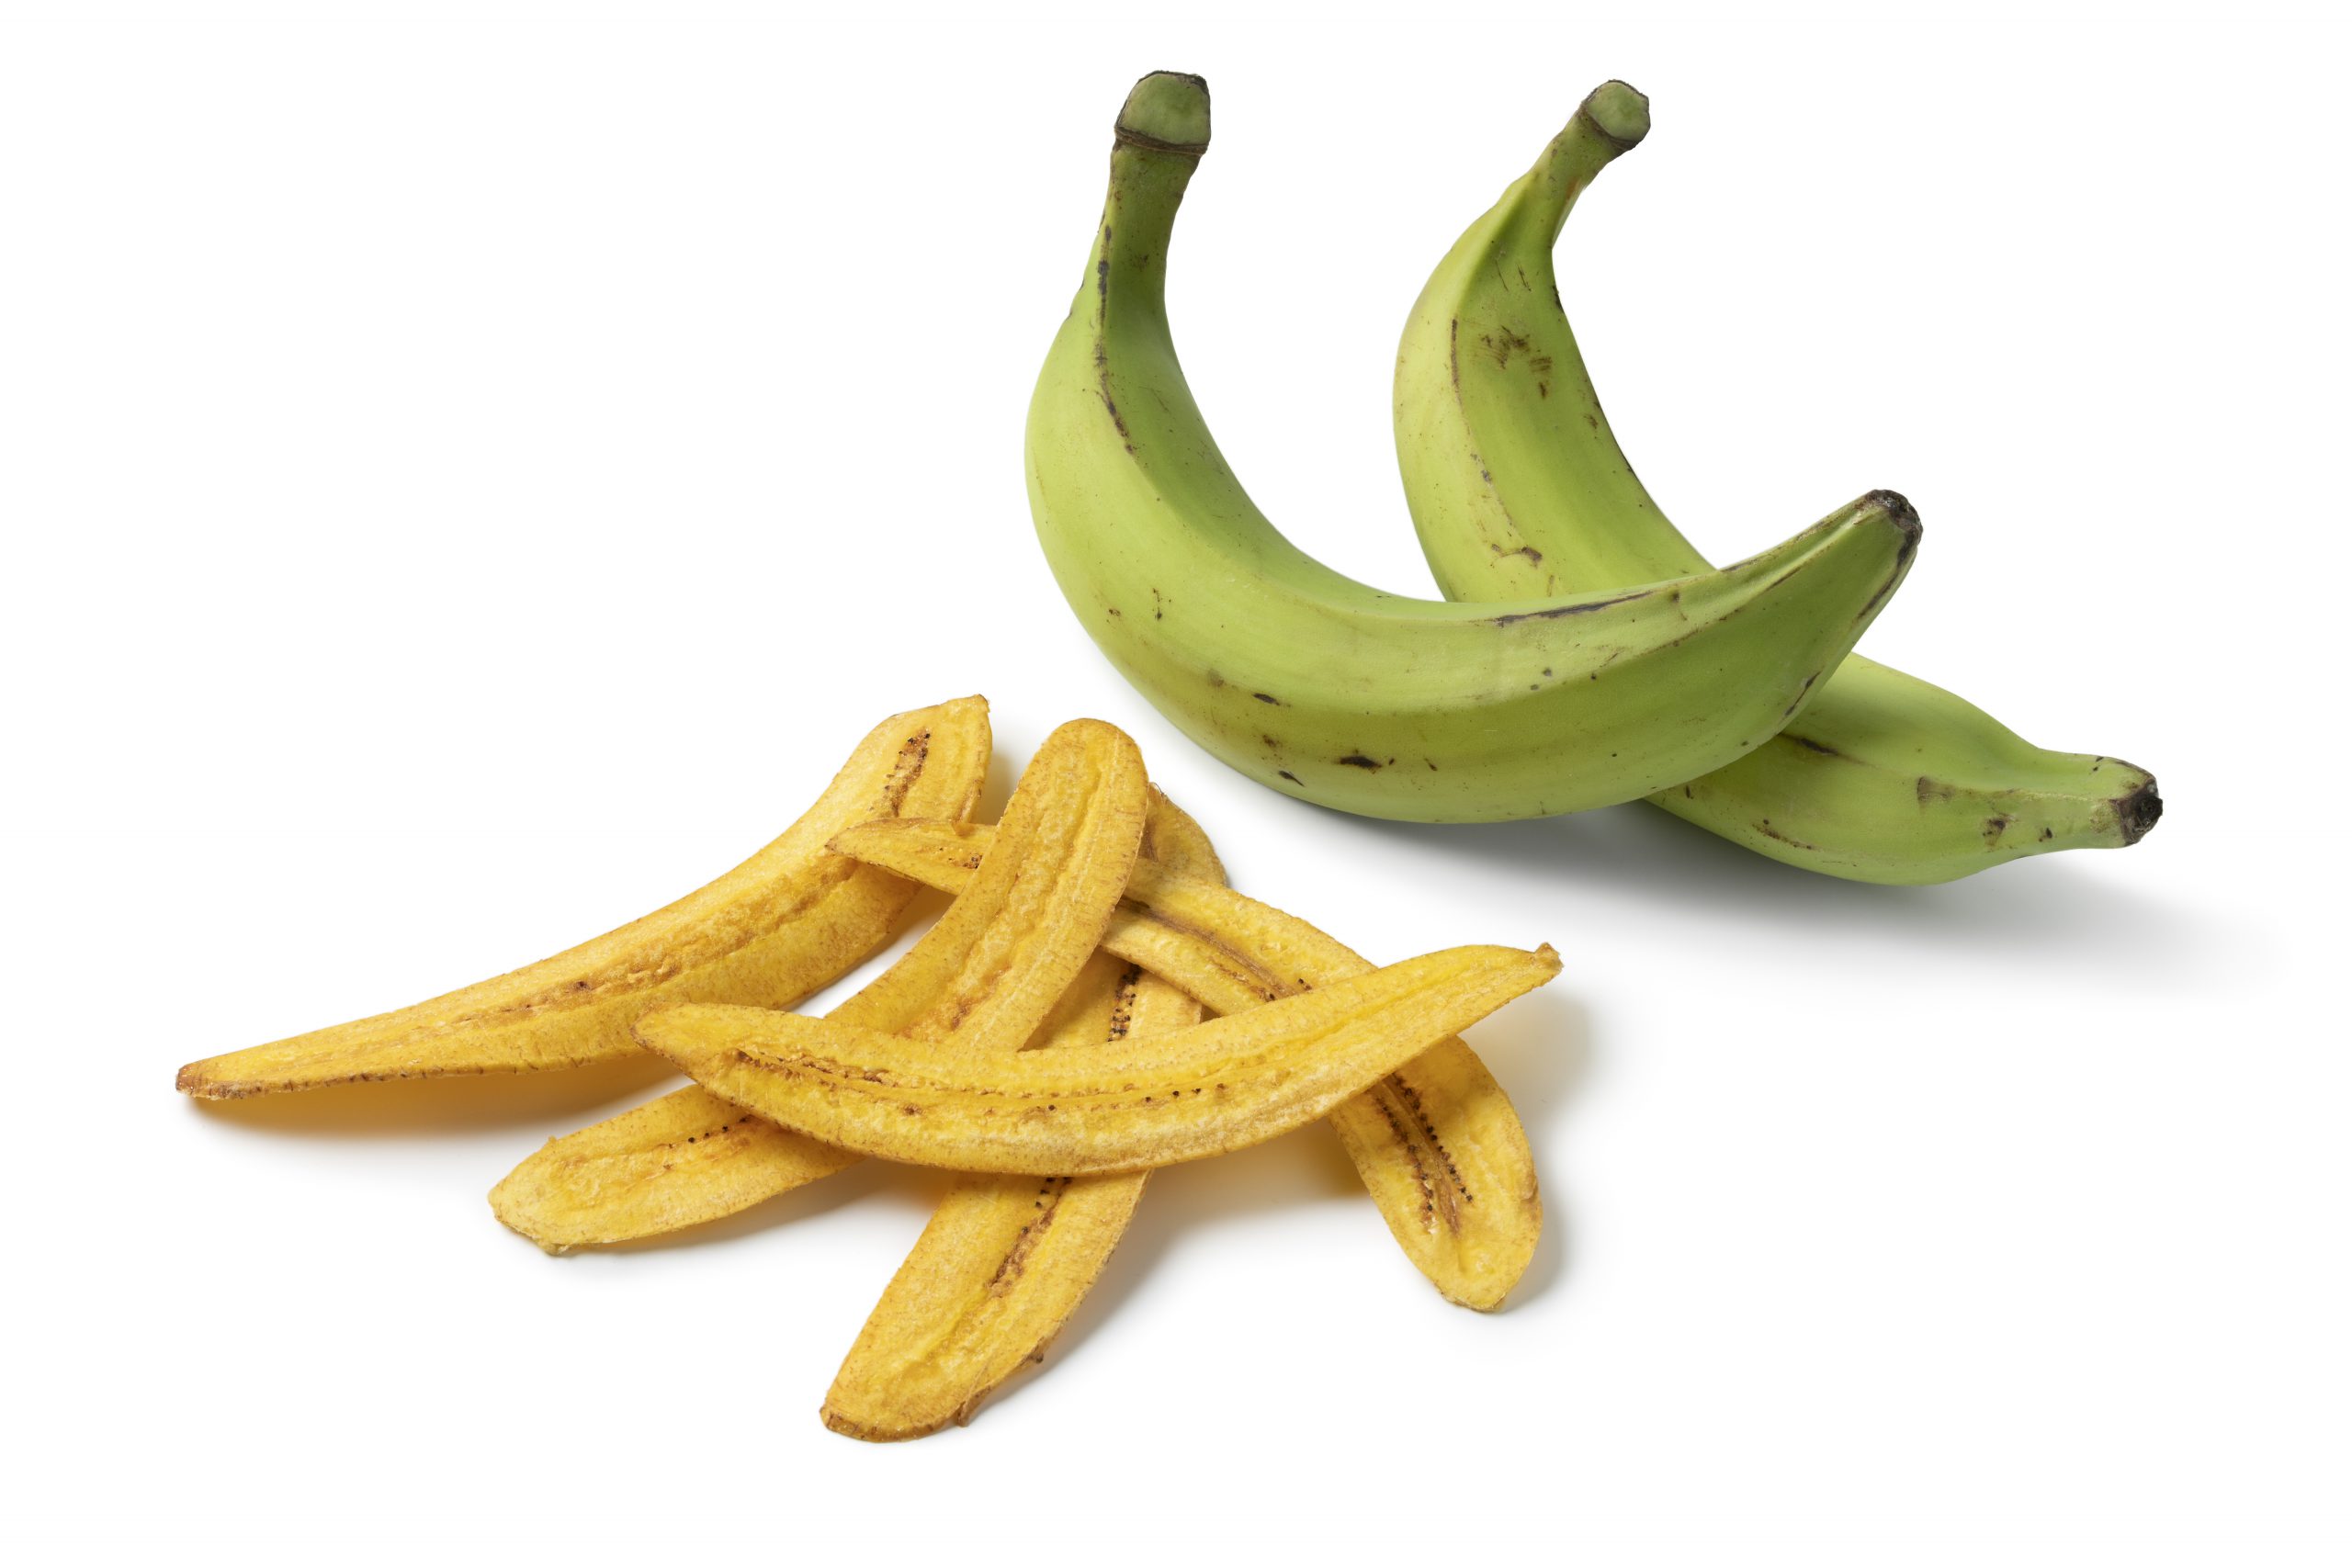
(1436,1141)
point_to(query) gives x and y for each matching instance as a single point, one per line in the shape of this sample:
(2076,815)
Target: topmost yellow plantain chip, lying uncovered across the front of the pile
(1125,1106)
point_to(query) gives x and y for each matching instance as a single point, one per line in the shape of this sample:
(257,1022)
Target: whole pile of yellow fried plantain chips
(1045,1040)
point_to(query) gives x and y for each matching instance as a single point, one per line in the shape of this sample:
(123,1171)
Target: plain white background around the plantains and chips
(467,483)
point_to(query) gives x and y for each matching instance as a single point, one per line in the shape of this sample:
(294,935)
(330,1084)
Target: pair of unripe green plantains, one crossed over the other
(1584,655)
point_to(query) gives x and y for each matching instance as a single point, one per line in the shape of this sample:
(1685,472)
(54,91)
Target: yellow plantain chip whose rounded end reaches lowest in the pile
(1008,1259)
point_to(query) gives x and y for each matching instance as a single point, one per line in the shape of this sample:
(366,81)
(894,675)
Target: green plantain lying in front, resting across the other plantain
(1368,702)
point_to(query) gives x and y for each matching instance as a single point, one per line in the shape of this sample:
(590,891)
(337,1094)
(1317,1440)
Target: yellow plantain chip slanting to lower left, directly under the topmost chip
(984,977)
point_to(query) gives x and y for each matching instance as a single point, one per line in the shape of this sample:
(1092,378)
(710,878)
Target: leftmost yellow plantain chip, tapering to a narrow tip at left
(787,923)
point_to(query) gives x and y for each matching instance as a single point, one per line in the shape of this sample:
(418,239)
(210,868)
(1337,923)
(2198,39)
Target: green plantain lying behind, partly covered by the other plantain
(1518,488)
